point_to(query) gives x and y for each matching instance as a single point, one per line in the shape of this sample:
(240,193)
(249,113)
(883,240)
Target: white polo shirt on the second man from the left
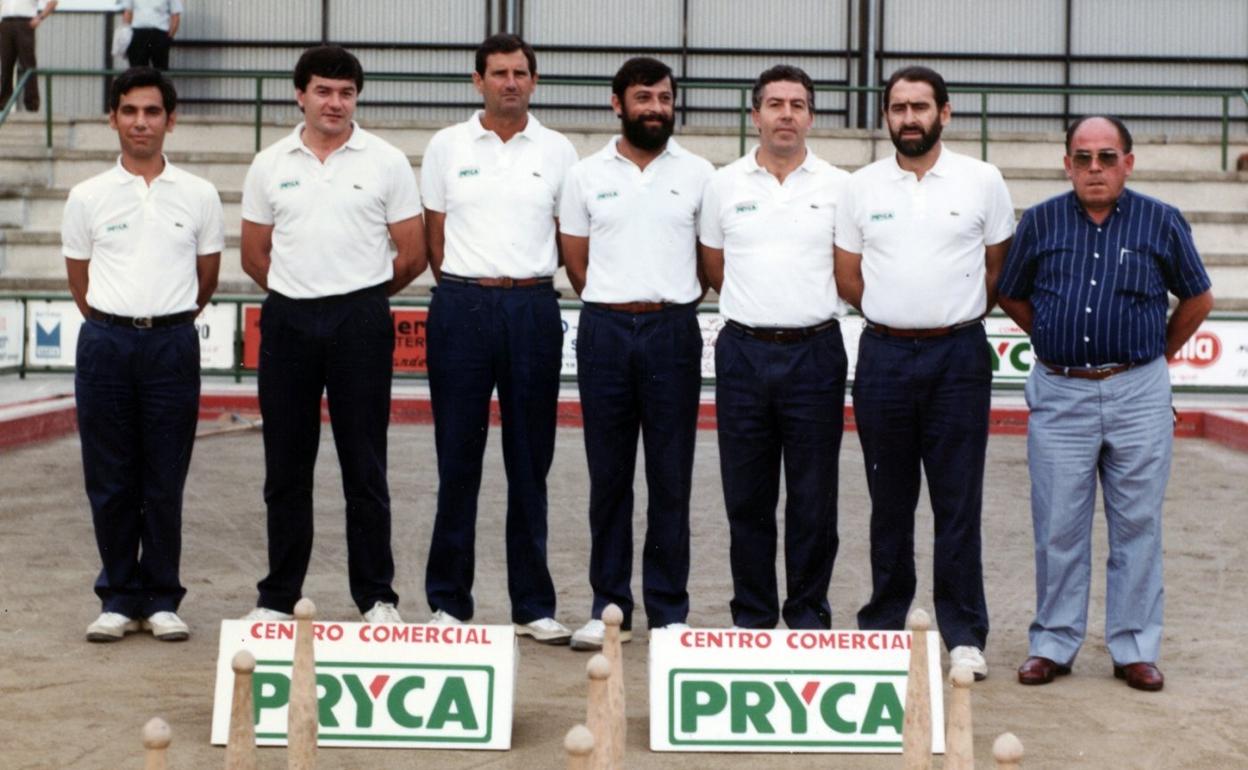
(330,220)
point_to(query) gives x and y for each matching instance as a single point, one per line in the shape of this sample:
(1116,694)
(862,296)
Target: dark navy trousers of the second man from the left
(344,348)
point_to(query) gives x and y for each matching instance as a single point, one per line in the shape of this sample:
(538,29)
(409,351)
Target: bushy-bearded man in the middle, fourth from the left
(628,228)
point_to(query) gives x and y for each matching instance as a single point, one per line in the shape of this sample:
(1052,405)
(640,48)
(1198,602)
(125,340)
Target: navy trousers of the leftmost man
(138,394)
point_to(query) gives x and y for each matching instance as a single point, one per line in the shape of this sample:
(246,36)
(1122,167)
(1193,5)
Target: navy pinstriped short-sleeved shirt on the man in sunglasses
(1100,291)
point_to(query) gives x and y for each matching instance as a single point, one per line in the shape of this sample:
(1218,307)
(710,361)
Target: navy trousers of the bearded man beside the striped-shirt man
(925,402)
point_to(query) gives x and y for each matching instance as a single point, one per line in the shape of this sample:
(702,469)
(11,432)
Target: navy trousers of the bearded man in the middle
(640,374)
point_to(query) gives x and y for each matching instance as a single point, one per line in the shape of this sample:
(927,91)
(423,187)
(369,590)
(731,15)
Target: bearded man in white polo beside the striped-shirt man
(920,241)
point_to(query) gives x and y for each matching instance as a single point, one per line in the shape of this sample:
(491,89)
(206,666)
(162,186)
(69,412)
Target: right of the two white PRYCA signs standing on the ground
(786,691)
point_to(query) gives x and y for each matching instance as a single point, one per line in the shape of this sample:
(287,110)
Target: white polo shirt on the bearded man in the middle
(642,225)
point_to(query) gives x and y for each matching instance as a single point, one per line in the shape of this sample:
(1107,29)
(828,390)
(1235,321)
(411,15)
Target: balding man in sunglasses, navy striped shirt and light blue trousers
(1089,276)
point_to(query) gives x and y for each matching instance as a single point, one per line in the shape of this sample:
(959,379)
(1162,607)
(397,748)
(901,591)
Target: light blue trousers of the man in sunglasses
(1121,430)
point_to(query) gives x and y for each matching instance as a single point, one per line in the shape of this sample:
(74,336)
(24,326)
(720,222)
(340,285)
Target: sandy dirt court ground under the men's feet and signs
(71,704)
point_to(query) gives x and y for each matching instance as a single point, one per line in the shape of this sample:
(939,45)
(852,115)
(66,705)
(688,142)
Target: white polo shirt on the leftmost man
(143,243)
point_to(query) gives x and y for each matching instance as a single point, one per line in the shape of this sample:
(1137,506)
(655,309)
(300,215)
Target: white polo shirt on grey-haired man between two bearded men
(777,241)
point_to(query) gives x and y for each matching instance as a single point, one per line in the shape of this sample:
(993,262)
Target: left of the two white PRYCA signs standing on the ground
(380,686)
